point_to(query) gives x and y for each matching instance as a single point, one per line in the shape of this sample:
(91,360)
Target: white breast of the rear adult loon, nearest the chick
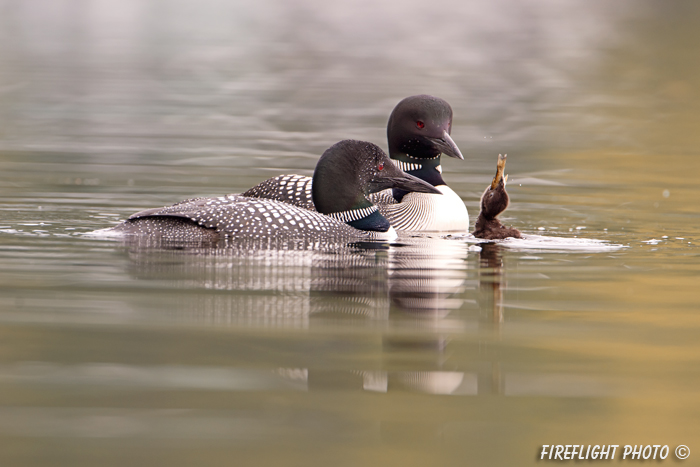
(428,212)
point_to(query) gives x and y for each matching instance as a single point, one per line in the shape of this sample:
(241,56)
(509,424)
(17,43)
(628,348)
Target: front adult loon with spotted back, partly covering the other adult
(345,174)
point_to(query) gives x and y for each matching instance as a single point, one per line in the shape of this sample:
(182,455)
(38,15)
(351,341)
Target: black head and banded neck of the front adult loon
(347,172)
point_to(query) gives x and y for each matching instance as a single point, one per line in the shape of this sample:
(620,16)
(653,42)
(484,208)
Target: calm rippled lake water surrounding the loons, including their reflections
(422,352)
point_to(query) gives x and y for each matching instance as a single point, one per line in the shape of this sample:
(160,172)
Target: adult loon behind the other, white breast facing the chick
(418,132)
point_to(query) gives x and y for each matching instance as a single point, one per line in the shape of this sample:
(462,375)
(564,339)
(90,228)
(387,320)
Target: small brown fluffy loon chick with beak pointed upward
(494,201)
